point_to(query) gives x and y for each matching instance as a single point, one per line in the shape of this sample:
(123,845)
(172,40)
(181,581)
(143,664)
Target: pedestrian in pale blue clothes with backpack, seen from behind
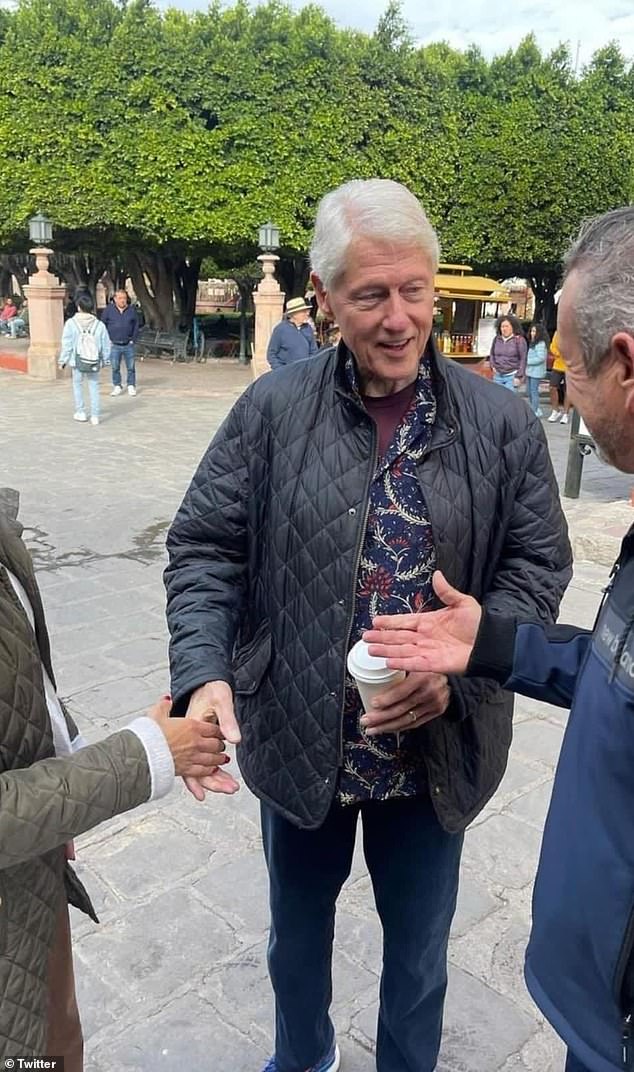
(85,349)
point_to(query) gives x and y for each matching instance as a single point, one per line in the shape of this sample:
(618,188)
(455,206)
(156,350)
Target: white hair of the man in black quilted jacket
(378,210)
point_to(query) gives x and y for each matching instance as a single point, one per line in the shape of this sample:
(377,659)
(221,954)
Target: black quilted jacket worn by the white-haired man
(264,555)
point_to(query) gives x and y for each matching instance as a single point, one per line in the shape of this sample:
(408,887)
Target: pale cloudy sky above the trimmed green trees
(495,25)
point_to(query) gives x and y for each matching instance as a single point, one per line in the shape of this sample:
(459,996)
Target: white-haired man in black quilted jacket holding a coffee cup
(332,493)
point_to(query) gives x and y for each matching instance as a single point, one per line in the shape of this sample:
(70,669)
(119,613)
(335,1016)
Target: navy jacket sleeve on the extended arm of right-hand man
(542,662)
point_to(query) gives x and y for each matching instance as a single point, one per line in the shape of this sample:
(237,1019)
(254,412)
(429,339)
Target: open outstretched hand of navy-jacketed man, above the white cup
(438,642)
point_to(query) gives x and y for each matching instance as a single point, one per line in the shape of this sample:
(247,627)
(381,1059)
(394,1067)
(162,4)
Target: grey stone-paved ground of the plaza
(175,975)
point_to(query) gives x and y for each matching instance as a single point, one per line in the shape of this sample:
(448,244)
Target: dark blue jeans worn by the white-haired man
(414,865)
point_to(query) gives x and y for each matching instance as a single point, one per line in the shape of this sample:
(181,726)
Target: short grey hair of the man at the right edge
(603,256)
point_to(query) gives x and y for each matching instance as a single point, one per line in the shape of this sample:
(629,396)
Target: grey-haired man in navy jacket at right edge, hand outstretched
(580,965)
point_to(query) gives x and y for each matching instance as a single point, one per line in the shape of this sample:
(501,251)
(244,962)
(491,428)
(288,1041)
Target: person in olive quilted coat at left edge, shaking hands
(54,787)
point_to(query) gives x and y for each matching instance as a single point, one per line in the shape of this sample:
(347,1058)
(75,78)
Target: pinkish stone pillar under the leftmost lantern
(47,300)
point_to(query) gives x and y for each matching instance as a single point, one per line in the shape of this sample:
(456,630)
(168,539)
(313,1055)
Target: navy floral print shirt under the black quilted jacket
(397,562)
